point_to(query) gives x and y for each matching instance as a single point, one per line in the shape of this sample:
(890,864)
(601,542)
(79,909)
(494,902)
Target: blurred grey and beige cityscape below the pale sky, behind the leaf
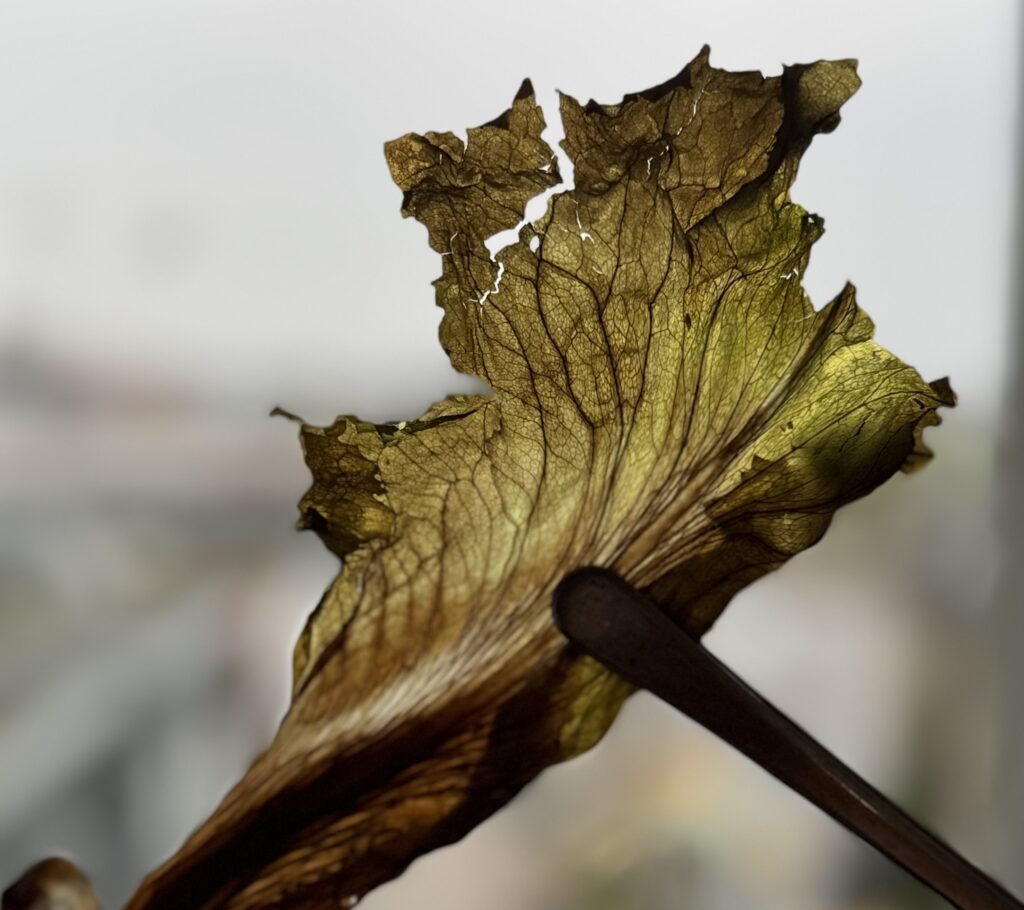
(152,587)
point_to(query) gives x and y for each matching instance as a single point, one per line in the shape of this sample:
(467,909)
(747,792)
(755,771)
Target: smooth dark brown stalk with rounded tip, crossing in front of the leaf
(613,622)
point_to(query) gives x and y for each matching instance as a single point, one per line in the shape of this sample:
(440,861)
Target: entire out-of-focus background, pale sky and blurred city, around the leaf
(197,225)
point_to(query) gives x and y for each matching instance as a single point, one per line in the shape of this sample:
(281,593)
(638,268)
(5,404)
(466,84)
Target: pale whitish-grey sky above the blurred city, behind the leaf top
(198,189)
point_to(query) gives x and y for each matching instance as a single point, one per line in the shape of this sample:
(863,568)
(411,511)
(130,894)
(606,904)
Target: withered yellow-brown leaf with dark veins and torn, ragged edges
(666,403)
